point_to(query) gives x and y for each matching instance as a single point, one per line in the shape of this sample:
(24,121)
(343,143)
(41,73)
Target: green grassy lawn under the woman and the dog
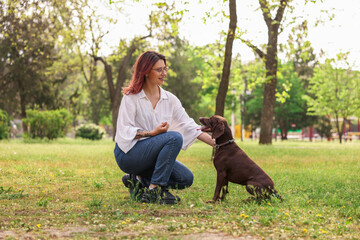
(72,189)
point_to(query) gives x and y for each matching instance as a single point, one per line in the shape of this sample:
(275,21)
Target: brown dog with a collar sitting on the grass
(232,164)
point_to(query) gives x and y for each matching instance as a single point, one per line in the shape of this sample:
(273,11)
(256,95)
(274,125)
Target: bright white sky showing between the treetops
(341,34)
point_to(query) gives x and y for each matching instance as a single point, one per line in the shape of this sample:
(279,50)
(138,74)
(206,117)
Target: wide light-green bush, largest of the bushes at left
(47,124)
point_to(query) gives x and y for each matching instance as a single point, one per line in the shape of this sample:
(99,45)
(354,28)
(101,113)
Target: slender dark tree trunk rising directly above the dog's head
(224,83)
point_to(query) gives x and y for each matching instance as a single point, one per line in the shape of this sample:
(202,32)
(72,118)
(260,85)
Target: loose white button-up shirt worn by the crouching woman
(136,112)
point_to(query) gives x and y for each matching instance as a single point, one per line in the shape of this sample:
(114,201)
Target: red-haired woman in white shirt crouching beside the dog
(152,127)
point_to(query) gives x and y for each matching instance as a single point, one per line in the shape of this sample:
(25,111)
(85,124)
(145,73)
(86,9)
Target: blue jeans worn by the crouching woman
(154,160)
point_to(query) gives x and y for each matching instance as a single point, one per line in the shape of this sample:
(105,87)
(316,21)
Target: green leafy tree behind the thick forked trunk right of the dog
(290,107)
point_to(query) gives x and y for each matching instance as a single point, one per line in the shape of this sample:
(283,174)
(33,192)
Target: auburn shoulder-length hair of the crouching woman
(142,66)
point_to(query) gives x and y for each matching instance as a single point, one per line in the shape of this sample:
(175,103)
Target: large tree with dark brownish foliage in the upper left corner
(28,39)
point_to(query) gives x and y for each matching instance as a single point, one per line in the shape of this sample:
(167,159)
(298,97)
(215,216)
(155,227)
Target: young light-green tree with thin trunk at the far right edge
(335,92)
